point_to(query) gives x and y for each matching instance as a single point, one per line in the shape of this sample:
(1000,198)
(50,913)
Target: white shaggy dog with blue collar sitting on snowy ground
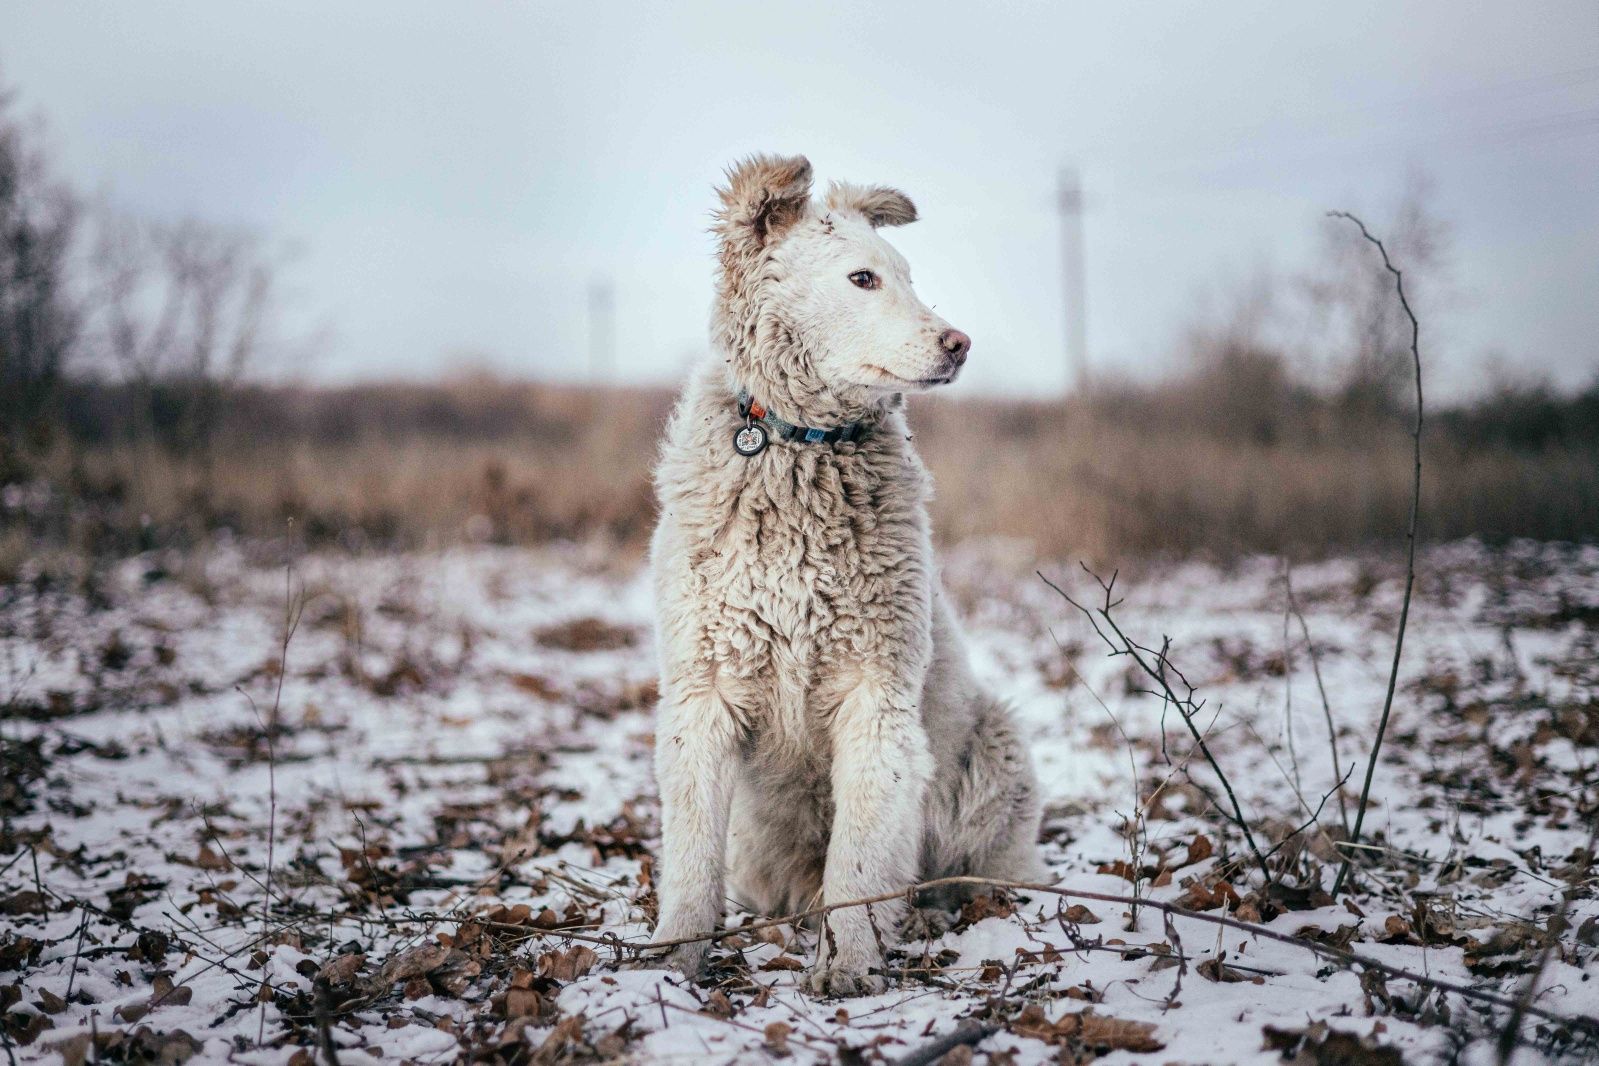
(821,736)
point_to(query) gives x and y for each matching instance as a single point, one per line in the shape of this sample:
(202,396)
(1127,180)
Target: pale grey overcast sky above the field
(457,173)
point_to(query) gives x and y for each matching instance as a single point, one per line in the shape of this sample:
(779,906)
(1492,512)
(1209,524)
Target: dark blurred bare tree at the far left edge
(39,319)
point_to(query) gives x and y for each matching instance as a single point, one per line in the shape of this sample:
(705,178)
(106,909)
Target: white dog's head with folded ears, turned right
(815,308)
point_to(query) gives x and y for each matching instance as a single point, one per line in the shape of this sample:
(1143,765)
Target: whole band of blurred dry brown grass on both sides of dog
(519,463)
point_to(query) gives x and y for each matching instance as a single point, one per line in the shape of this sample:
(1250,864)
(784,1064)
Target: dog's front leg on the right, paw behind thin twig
(882,766)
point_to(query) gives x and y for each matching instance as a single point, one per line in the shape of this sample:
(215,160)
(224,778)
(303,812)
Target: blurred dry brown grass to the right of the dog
(1090,482)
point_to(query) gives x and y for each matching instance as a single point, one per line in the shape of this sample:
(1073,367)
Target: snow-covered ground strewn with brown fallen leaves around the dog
(460,781)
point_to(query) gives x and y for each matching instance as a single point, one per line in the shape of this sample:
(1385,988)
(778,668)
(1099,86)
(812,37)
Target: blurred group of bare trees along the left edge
(167,316)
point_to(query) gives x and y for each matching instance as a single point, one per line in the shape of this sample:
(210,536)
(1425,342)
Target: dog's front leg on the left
(696,757)
